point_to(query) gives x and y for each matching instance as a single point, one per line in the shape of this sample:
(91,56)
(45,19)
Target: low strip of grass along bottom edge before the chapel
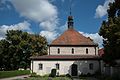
(47,78)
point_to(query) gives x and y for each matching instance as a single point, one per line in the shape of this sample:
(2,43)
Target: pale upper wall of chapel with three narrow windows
(77,50)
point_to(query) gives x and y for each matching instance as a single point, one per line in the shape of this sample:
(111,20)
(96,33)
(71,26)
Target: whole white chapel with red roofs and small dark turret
(71,53)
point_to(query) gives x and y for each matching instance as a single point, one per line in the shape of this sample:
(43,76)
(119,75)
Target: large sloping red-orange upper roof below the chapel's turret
(72,37)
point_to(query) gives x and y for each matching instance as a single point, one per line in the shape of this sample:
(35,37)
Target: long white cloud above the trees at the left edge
(20,26)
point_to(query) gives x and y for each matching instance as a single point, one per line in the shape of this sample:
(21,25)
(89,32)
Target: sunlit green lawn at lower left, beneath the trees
(6,74)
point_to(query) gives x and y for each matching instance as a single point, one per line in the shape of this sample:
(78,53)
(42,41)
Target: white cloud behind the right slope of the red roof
(96,38)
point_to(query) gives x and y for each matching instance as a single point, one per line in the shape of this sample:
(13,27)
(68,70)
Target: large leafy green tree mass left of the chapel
(18,47)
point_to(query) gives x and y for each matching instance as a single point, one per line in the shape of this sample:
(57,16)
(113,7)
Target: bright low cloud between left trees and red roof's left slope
(50,35)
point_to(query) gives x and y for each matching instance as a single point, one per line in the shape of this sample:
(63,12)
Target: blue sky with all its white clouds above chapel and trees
(49,17)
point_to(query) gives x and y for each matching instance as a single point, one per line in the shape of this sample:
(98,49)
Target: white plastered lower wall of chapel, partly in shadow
(65,66)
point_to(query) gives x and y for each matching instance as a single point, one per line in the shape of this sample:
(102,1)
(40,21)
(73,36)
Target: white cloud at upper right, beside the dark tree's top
(101,10)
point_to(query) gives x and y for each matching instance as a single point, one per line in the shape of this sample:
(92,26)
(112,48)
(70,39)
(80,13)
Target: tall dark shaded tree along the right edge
(110,30)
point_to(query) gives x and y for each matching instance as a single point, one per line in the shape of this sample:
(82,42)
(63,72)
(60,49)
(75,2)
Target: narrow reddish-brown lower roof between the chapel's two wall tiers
(65,57)
